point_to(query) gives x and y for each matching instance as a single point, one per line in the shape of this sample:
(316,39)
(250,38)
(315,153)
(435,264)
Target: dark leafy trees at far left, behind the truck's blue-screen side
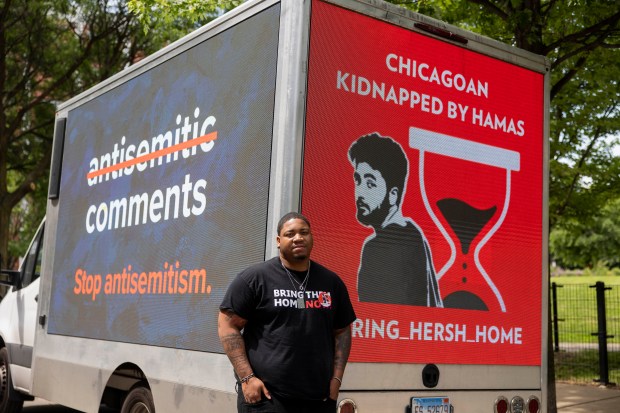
(51,50)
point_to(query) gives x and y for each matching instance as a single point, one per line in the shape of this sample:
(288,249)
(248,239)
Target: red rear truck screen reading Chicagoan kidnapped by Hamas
(423,180)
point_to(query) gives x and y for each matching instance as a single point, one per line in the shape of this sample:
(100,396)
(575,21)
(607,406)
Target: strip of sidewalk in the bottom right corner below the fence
(580,398)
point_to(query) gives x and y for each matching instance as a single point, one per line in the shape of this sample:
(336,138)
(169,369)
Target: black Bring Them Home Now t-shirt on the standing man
(291,349)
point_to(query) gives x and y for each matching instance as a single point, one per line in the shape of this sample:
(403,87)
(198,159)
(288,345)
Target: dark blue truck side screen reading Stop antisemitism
(164,193)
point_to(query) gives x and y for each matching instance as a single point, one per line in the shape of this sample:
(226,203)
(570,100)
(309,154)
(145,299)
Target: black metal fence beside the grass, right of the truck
(586,332)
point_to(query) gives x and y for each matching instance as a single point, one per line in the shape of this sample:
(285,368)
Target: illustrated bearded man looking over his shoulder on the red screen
(396,266)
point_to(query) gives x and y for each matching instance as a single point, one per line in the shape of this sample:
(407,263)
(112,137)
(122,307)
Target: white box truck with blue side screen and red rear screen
(418,151)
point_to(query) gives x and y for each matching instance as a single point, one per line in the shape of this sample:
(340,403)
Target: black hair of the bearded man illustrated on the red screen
(386,156)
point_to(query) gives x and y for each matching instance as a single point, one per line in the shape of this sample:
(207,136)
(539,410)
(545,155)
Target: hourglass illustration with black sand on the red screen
(466,286)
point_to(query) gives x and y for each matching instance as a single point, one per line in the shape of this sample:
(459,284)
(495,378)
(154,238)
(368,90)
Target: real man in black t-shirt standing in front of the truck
(296,320)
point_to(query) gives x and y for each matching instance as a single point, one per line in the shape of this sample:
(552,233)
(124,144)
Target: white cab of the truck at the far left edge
(18,312)
